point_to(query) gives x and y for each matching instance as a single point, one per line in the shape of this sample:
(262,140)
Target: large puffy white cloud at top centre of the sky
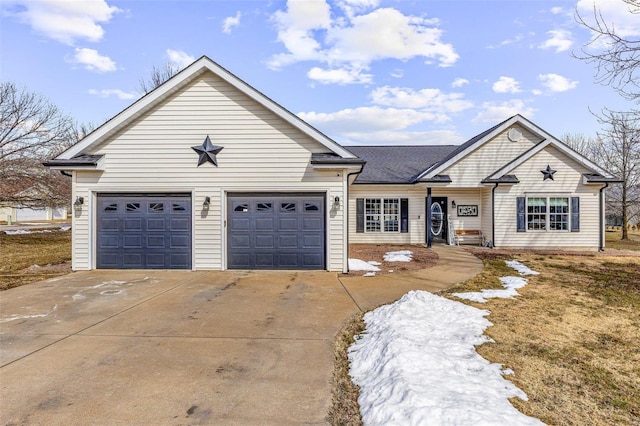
(309,33)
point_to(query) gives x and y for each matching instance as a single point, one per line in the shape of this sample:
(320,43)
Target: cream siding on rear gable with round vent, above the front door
(489,158)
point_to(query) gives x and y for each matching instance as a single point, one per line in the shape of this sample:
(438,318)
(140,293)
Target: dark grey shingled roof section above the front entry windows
(398,164)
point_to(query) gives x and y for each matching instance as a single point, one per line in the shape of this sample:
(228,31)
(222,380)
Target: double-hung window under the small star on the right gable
(549,213)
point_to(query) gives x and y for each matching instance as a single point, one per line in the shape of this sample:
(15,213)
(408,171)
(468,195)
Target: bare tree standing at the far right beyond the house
(619,153)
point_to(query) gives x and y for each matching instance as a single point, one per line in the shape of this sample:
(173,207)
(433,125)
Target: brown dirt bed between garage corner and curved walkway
(422,257)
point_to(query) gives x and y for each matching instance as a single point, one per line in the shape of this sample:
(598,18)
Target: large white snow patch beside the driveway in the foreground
(416,364)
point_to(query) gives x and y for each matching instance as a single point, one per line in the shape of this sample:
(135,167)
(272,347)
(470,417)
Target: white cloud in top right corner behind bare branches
(615,13)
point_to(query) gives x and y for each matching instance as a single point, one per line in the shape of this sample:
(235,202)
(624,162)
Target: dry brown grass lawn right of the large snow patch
(571,337)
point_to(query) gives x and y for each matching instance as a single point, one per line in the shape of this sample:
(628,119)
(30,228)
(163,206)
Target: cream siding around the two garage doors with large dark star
(261,153)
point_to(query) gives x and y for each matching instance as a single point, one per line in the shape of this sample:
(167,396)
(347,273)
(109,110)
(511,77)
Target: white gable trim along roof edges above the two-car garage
(181,79)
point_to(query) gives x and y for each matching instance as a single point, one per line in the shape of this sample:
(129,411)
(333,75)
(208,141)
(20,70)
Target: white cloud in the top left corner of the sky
(67,21)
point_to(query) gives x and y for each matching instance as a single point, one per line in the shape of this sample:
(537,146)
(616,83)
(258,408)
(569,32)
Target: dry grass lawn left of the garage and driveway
(19,255)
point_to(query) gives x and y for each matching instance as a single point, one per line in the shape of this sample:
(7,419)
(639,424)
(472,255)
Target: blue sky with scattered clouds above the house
(362,71)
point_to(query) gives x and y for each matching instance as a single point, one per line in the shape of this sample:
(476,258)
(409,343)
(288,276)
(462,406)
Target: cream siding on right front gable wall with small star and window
(568,181)
